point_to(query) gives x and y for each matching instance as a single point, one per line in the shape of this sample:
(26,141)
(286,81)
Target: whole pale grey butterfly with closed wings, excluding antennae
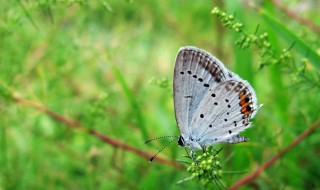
(212,104)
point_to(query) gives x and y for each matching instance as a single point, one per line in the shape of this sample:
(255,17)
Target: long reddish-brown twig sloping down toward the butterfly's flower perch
(95,133)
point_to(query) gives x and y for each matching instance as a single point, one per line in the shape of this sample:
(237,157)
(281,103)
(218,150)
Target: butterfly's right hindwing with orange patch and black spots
(225,112)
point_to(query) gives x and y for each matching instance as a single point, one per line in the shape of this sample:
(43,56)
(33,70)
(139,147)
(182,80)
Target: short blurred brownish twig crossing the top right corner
(298,18)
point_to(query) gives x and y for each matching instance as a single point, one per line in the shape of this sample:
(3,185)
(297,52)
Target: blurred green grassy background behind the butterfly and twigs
(108,65)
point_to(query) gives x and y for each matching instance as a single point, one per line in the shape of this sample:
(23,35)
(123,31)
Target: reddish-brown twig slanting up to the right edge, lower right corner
(255,174)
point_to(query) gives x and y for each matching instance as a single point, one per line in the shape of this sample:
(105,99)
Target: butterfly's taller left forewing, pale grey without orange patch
(196,73)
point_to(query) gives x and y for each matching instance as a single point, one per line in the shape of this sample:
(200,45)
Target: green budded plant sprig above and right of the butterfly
(269,56)
